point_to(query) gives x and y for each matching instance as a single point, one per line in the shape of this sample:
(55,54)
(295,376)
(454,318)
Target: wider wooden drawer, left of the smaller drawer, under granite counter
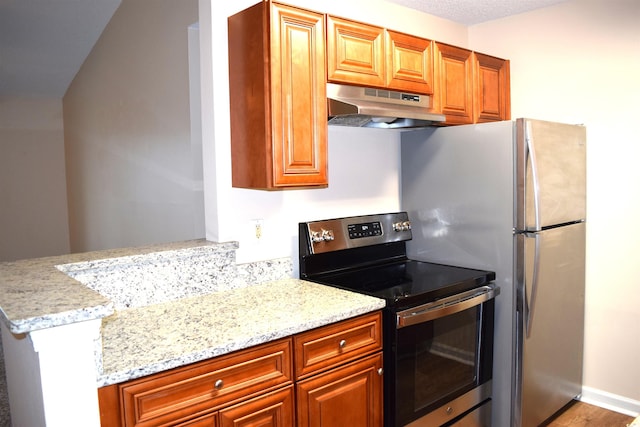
(188,391)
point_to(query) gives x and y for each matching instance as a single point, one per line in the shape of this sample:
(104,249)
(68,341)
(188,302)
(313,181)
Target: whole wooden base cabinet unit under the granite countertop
(337,382)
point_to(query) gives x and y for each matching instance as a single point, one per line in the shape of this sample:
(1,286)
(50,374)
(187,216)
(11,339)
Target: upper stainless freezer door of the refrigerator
(550,174)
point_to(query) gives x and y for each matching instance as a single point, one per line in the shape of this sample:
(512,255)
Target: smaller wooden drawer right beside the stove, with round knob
(338,343)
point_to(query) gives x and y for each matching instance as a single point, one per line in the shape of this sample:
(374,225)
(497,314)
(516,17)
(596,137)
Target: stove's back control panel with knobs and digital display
(357,231)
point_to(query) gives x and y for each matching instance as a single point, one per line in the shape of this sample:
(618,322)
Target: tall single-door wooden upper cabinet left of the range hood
(277,88)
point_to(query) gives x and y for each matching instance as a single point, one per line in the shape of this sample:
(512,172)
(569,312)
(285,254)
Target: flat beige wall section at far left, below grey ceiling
(33,209)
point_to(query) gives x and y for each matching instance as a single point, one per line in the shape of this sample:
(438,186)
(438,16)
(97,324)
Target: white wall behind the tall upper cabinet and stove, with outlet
(363,163)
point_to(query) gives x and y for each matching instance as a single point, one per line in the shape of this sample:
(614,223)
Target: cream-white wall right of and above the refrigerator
(579,62)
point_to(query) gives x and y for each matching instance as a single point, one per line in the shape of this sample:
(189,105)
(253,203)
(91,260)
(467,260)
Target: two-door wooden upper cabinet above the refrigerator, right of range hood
(470,87)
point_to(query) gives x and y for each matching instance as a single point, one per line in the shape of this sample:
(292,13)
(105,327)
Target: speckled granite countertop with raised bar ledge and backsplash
(197,303)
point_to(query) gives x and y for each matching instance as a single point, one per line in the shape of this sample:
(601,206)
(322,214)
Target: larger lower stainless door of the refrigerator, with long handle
(550,303)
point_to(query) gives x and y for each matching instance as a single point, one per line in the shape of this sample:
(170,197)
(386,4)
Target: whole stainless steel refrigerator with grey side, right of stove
(510,196)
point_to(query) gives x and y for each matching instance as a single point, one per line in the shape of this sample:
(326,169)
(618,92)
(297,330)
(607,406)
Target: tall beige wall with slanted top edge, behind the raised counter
(133,167)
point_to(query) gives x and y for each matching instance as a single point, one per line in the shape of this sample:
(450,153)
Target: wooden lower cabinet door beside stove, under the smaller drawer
(347,396)
